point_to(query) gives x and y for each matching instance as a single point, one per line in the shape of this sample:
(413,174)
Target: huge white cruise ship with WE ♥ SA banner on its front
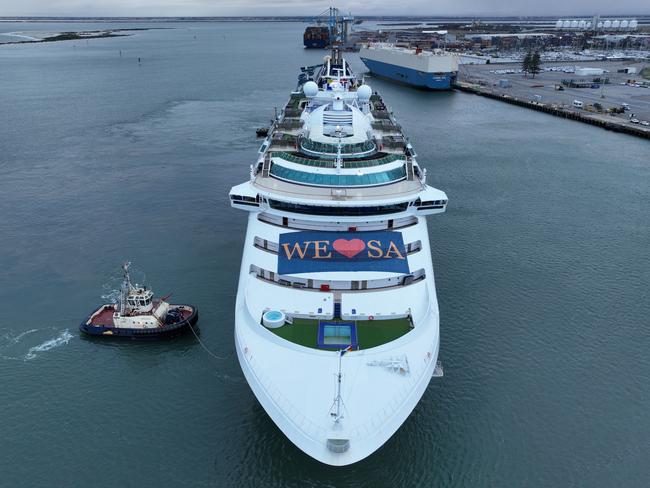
(336,323)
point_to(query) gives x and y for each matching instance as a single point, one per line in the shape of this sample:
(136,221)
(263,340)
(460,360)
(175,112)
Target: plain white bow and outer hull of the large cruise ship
(293,385)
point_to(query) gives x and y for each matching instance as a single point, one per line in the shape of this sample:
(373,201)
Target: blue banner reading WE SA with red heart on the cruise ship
(306,252)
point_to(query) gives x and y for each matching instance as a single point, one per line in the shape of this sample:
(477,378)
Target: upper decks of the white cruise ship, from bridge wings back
(336,144)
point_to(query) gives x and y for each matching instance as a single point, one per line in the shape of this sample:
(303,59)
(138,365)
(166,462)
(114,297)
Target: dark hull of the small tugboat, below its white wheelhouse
(93,325)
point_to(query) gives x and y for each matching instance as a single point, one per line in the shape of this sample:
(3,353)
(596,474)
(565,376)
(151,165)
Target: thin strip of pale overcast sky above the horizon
(313,7)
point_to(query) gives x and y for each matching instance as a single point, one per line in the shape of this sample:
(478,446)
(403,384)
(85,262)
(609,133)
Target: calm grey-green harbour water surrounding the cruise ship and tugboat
(542,264)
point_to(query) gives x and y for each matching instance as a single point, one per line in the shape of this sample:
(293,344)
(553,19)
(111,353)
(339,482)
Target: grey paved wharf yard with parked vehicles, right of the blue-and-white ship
(542,88)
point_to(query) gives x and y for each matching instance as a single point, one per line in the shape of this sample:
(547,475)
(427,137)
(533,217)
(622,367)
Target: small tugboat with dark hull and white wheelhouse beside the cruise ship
(137,315)
